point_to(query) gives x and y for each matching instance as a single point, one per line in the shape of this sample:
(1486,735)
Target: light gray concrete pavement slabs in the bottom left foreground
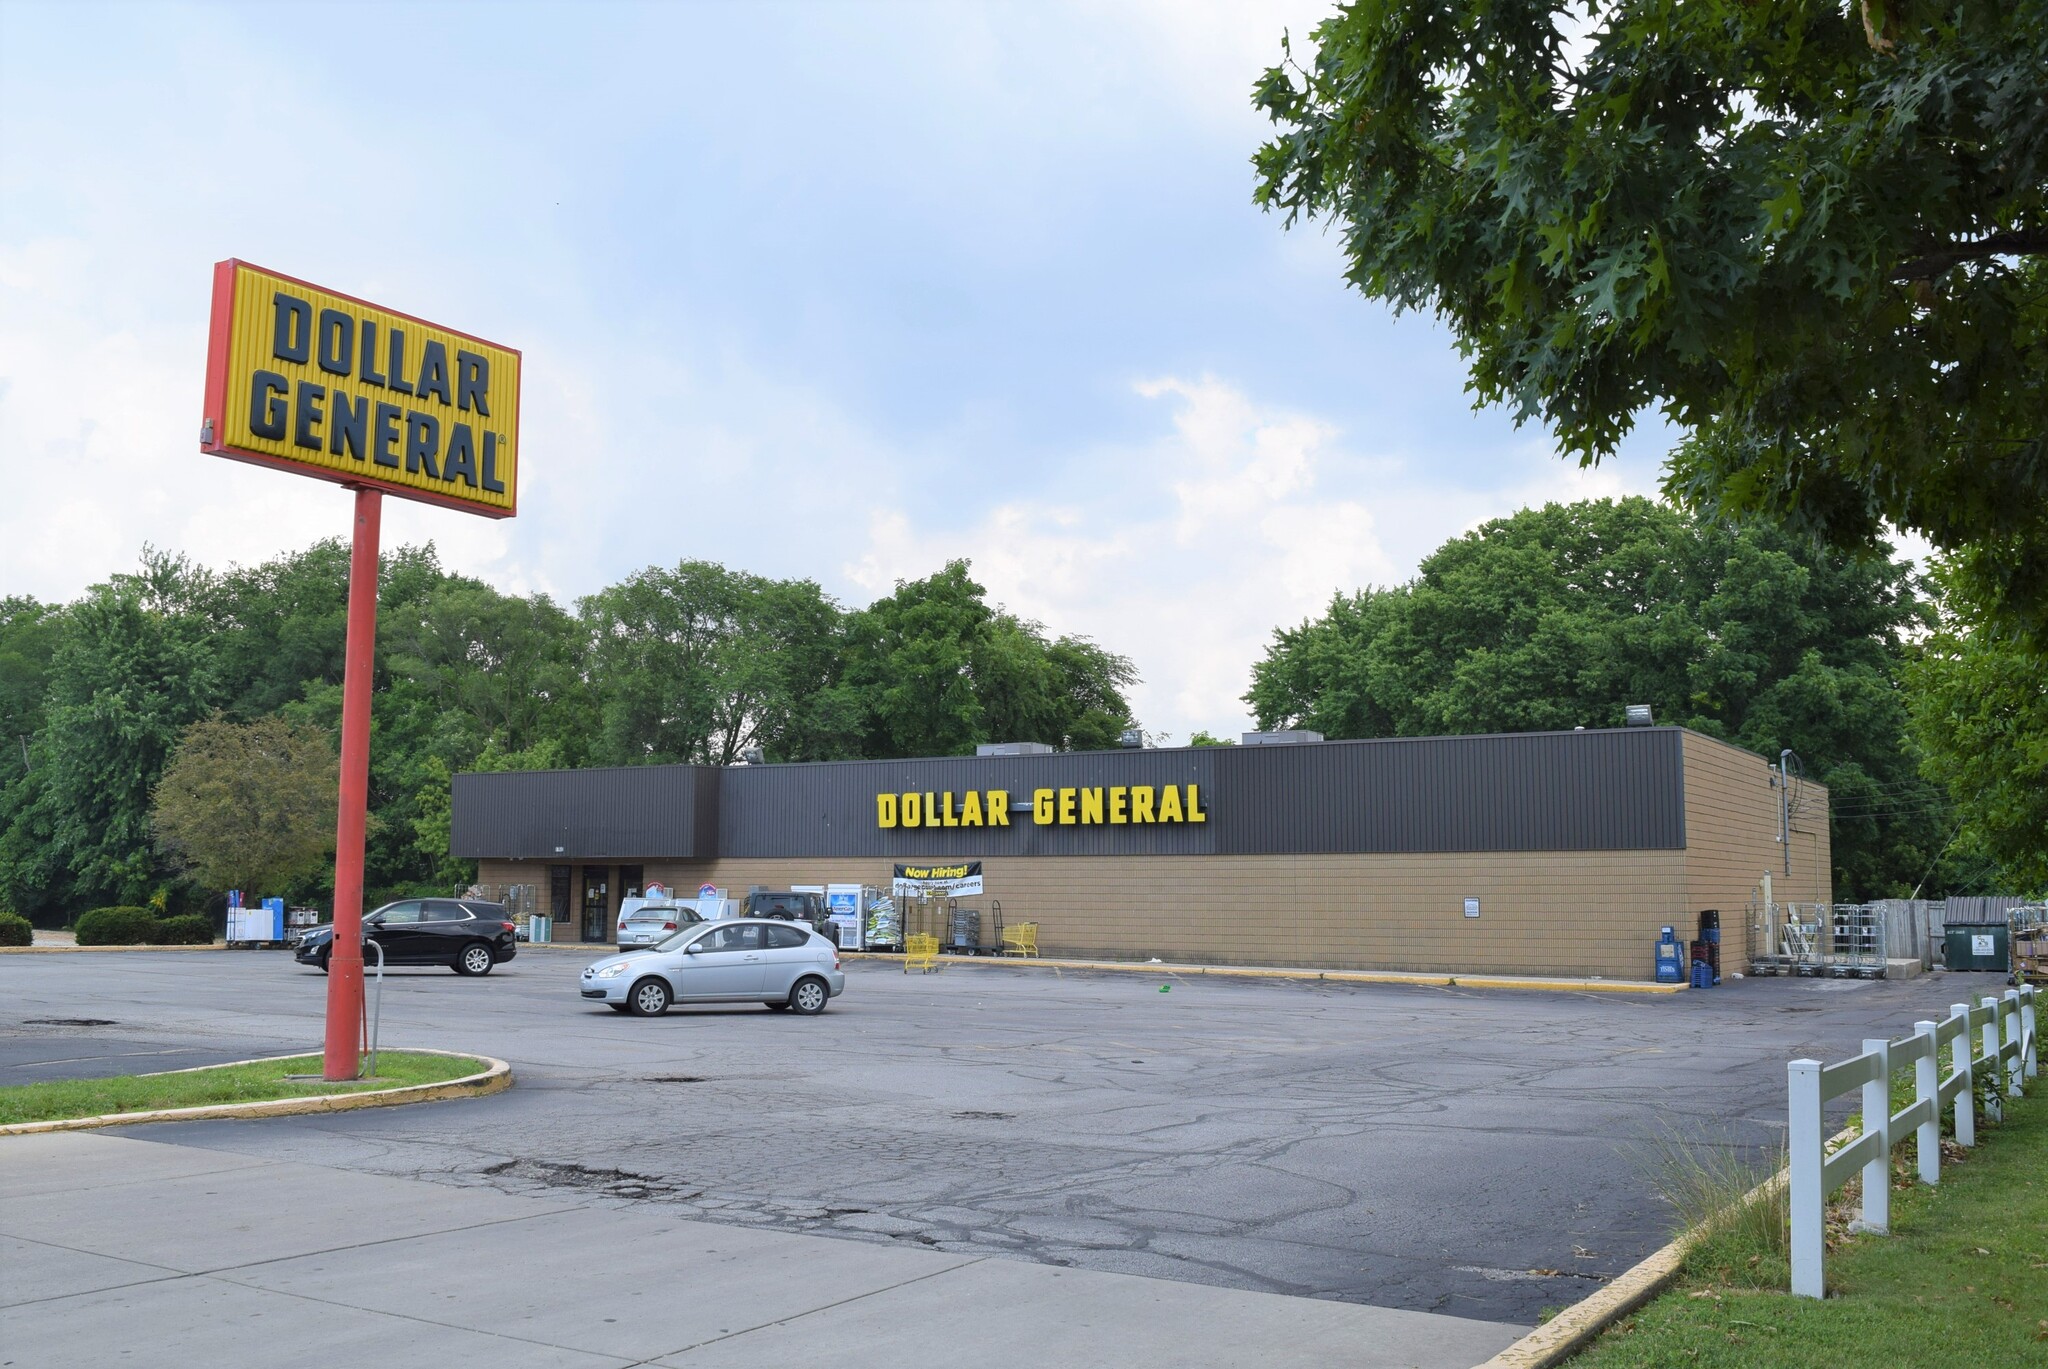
(122,1251)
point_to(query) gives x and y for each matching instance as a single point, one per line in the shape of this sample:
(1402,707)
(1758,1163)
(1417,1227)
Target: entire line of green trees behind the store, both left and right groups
(144,716)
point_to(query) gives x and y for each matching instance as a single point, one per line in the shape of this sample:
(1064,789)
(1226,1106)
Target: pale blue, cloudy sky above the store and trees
(812,290)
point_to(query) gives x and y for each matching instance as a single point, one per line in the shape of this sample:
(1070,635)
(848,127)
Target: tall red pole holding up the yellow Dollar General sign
(345,960)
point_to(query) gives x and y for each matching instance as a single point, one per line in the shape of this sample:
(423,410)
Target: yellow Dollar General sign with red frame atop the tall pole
(331,386)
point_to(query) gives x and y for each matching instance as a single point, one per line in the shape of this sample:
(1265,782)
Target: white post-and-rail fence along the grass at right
(1998,1038)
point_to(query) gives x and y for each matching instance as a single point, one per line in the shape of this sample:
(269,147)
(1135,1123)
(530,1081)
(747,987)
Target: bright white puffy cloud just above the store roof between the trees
(1183,554)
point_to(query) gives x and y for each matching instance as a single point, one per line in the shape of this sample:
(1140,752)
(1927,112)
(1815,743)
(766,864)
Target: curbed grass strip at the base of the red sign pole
(140,1093)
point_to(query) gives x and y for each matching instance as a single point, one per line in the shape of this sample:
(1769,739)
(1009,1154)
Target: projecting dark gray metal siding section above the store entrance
(628,813)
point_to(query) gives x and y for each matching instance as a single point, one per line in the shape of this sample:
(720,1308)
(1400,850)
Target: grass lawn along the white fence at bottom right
(1963,1280)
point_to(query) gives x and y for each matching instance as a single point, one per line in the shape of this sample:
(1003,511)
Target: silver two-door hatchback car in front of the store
(738,960)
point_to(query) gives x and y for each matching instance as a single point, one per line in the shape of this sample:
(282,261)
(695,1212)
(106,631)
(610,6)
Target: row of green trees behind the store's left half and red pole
(144,720)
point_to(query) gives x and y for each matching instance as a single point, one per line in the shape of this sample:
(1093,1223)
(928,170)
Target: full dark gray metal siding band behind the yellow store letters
(1615,790)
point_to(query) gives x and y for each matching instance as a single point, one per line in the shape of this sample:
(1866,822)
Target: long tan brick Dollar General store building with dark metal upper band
(1558,854)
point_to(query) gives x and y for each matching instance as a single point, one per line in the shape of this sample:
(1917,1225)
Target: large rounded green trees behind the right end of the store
(1560,618)
